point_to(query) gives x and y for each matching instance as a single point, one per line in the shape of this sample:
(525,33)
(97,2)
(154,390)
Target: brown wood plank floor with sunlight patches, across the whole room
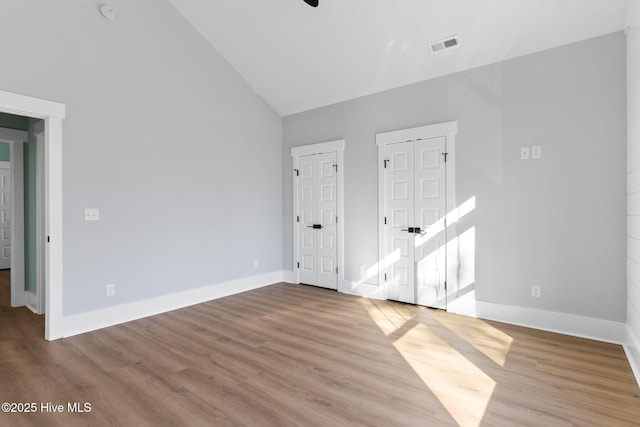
(293,355)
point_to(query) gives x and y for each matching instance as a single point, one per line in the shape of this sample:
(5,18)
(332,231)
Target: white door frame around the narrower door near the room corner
(307,150)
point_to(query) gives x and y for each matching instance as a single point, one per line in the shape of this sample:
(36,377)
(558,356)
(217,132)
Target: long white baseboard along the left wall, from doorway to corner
(98,319)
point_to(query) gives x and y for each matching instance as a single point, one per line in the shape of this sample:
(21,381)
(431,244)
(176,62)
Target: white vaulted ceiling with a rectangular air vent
(298,57)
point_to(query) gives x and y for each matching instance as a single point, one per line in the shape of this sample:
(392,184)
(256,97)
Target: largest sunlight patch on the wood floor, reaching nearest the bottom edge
(462,388)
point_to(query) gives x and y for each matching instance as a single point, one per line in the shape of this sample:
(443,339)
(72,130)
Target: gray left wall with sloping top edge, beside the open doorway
(162,135)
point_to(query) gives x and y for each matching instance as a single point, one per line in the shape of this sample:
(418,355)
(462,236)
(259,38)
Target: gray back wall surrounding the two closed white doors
(557,222)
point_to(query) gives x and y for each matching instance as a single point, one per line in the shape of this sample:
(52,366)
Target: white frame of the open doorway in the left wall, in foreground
(53,113)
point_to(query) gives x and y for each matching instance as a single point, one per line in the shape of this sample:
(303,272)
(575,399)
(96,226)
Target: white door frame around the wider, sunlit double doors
(447,130)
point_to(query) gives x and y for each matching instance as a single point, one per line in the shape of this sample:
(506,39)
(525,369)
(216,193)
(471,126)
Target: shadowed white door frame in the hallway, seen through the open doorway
(16,139)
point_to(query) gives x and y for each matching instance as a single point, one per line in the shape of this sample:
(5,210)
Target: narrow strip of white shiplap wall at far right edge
(633,185)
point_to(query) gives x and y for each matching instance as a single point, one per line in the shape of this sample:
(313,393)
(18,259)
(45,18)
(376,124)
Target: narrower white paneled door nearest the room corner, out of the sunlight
(317,217)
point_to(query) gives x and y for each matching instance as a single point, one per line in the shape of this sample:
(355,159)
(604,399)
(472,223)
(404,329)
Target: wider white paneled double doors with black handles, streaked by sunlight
(415,232)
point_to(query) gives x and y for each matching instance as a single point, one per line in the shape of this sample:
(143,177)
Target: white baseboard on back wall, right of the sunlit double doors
(568,324)
